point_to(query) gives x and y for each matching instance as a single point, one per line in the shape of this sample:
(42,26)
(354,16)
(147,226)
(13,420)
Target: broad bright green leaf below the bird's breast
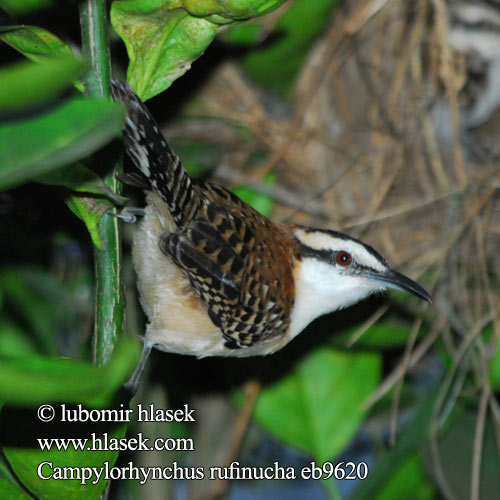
(321,400)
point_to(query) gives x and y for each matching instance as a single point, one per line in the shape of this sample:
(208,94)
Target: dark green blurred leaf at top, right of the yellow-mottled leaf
(276,63)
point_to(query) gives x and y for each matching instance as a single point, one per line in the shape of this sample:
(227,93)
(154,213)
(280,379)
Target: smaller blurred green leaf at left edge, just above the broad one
(26,84)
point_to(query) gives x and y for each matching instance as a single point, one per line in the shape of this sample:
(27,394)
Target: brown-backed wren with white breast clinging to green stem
(216,277)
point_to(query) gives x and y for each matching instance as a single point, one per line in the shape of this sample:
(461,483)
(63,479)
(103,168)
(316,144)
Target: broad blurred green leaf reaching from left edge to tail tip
(76,128)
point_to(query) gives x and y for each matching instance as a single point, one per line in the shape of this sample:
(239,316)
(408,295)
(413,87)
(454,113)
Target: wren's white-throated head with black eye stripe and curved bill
(336,271)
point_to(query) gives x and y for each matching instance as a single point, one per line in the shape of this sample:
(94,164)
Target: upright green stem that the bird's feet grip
(110,297)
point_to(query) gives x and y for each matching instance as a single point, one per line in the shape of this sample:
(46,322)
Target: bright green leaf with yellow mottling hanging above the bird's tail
(163,37)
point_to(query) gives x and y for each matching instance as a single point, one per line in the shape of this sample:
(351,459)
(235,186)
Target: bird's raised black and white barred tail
(151,154)
